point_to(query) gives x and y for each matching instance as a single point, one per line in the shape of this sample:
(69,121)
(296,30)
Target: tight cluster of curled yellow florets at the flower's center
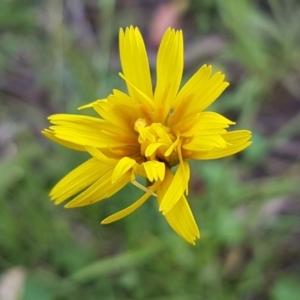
(158,142)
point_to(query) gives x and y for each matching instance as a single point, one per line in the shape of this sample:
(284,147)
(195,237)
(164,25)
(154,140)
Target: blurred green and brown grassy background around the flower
(57,55)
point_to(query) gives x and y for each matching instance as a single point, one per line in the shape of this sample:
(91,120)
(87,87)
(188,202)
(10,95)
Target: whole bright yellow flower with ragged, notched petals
(147,133)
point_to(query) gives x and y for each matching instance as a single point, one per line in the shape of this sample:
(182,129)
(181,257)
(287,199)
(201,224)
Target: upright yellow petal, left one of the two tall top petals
(134,62)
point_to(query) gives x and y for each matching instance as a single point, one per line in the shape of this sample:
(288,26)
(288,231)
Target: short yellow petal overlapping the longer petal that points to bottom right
(176,188)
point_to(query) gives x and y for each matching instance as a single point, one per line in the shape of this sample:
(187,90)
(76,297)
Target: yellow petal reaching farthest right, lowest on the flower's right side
(236,141)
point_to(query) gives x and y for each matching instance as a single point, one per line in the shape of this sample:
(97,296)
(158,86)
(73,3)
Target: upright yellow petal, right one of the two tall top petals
(169,72)
